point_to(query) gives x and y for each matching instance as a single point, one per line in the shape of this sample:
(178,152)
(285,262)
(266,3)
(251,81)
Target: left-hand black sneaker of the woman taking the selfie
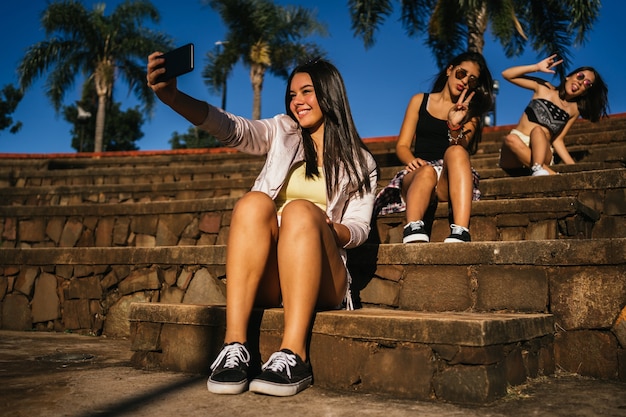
(230,370)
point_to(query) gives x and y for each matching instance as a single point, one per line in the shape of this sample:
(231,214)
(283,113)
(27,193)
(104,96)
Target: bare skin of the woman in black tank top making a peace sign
(450,104)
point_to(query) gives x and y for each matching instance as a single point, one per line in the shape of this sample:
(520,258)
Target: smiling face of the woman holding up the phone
(304,105)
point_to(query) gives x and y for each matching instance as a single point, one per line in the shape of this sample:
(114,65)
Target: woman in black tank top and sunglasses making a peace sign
(439,132)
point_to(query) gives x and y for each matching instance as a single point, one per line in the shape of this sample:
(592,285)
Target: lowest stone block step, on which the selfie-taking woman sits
(466,358)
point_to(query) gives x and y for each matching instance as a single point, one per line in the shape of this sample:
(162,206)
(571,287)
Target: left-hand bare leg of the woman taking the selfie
(251,268)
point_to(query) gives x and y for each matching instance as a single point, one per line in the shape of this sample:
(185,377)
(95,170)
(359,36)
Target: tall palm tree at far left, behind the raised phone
(102,48)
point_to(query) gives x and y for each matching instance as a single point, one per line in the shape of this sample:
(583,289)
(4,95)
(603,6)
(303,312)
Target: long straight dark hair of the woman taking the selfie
(342,143)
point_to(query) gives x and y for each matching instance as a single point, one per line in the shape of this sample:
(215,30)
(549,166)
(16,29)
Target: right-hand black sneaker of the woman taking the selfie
(284,374)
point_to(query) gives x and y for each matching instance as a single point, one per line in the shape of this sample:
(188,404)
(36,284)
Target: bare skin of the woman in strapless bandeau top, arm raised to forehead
(514,152)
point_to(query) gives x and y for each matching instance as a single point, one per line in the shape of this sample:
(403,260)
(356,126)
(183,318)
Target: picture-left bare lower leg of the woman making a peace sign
(418,189)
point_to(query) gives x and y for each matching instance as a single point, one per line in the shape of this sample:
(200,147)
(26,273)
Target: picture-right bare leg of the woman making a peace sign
(456,184)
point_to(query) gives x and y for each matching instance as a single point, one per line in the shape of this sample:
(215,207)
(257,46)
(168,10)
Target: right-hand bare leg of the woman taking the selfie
(312,272)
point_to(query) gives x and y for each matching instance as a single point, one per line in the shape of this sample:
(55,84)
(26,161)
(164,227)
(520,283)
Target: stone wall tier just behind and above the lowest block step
(65,292)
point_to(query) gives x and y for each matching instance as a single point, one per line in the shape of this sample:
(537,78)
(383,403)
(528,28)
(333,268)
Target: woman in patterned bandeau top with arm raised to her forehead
(549,116)
